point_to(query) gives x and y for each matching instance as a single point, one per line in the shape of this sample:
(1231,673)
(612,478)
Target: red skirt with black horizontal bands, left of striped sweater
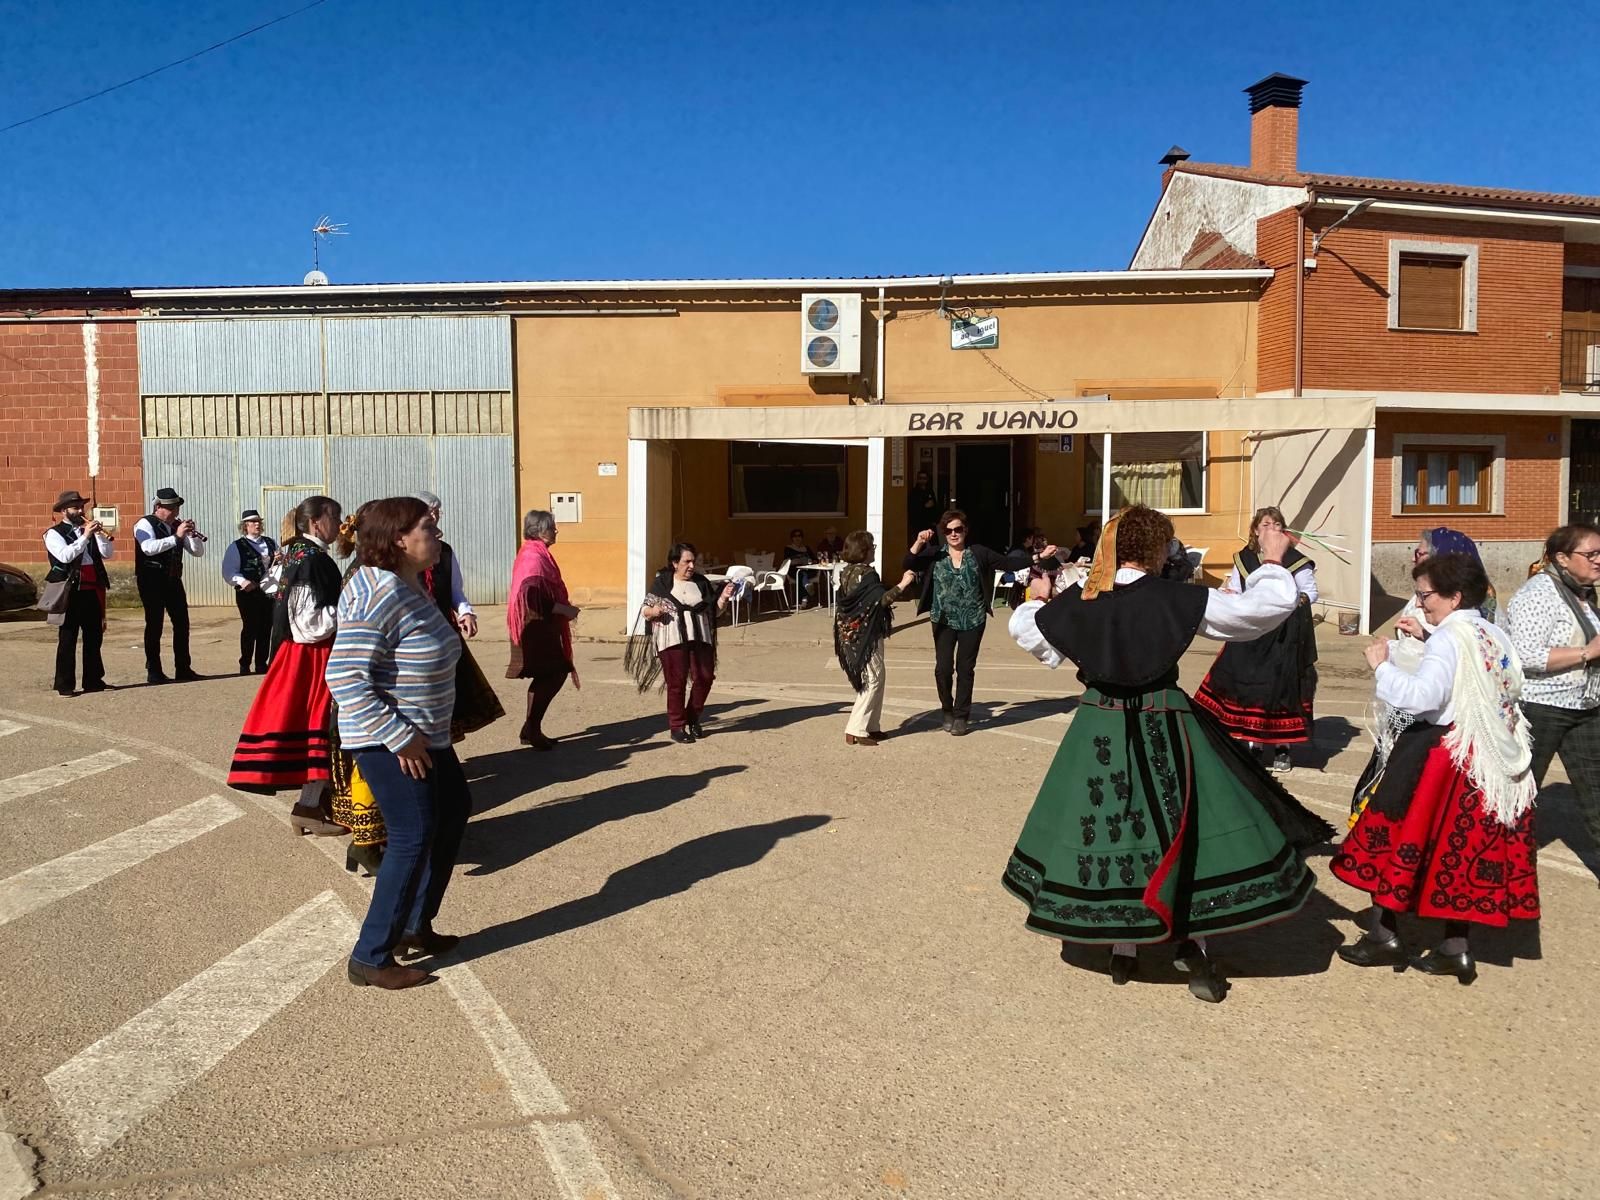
(286,738)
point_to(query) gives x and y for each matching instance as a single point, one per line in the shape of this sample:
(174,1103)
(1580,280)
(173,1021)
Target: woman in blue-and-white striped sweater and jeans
(393,674)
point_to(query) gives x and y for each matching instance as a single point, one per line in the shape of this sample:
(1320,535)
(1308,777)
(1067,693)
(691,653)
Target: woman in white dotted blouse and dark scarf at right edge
(1556,630)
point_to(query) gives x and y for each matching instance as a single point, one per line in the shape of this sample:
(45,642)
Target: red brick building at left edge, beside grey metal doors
(70,378)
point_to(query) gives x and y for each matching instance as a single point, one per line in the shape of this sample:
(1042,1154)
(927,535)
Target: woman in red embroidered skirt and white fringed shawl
(1446,809)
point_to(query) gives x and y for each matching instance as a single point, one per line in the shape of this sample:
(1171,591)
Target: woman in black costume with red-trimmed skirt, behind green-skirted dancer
(1263,690)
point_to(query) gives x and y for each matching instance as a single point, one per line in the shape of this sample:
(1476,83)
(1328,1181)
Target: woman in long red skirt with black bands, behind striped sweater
(286,738)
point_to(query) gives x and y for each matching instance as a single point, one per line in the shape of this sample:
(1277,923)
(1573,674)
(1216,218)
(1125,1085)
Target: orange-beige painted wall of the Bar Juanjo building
(577,378)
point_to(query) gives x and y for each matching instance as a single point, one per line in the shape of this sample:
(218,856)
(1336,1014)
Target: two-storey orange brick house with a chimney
(1470,314)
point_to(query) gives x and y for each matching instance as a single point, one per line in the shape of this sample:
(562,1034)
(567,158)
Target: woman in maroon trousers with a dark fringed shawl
(679,644)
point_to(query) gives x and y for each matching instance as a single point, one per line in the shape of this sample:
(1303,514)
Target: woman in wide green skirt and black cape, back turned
(1153,825)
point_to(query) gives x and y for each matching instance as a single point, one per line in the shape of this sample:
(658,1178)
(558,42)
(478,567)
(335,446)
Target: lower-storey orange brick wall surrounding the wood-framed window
(1534,478)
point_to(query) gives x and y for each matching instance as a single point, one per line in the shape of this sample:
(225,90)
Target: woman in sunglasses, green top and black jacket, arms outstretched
(959,598)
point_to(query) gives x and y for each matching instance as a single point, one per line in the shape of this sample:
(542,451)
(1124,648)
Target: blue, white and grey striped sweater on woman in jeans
(393,670)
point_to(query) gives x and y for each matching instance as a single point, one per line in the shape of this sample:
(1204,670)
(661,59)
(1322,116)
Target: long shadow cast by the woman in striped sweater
(652,879)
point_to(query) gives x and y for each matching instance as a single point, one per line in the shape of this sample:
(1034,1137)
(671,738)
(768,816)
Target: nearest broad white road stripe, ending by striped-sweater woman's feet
(113,1086)
